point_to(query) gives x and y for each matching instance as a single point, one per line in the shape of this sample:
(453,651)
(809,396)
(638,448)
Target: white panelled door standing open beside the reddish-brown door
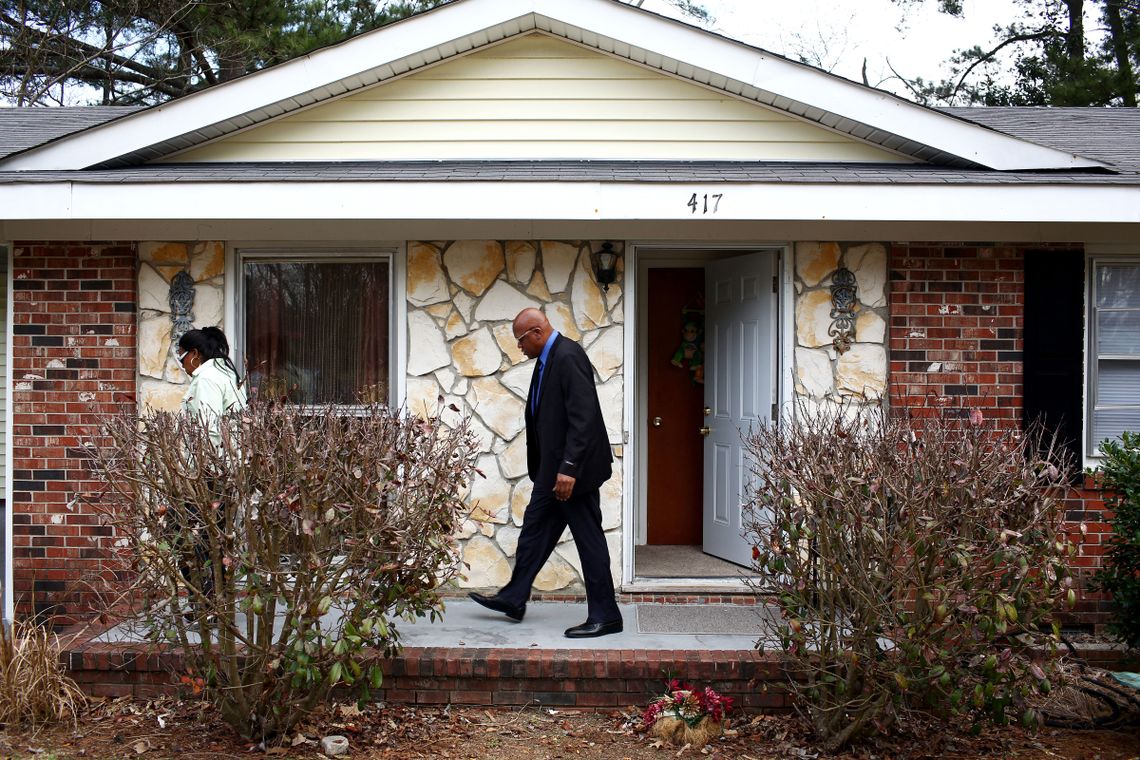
(740,355)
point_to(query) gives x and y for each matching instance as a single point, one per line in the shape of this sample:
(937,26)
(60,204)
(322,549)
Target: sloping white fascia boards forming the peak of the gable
(608,19)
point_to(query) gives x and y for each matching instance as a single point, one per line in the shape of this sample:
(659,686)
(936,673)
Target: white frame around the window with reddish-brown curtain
(241,254)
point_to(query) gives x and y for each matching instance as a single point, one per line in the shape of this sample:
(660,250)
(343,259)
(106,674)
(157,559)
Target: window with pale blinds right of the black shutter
(1114,390)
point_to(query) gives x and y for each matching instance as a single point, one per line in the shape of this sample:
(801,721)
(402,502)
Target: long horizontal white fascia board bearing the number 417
(573,201)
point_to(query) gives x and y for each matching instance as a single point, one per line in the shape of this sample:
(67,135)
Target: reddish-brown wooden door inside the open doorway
(675,412)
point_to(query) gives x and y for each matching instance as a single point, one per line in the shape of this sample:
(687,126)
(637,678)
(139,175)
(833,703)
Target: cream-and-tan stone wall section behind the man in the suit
(462,299)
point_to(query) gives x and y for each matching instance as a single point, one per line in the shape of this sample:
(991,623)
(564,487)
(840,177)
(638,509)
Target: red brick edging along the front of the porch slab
(571,679)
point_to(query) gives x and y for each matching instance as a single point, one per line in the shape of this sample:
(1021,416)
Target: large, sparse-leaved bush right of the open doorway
(915,567)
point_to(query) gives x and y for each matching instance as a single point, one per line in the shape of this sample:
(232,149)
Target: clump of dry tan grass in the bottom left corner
(35,690)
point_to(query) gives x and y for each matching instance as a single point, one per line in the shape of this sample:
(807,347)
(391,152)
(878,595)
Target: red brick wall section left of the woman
(74,355)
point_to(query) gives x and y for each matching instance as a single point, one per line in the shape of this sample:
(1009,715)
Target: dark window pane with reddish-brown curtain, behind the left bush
(317,331)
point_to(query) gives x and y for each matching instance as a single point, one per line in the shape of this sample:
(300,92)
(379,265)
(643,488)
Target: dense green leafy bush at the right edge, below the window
(1120,576)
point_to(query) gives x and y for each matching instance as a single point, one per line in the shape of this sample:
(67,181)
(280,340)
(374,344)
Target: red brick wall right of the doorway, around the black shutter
(957,325)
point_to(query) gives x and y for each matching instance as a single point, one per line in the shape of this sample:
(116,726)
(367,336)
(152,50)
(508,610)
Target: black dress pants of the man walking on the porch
(543,525)
